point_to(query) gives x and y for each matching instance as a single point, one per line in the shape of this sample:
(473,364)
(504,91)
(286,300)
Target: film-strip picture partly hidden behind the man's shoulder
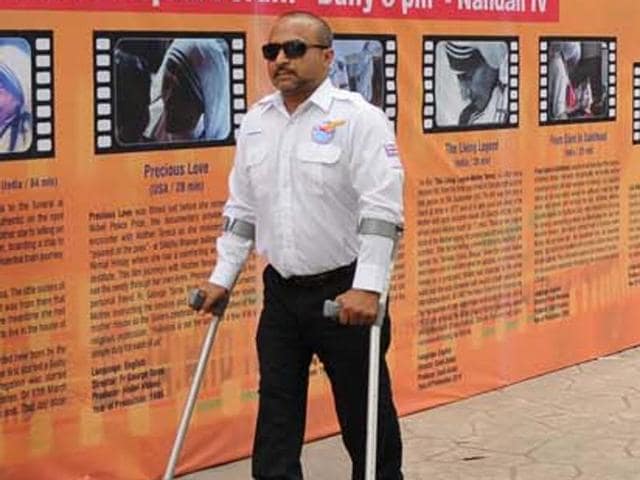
(382,52)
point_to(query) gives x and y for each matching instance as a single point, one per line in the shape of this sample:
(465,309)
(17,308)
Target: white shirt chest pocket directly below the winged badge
(319,165)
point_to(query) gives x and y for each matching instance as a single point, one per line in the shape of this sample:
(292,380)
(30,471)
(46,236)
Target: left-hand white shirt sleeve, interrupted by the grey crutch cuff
(232,249)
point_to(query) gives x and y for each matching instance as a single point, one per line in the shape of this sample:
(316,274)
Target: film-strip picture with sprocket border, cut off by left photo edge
(30,58)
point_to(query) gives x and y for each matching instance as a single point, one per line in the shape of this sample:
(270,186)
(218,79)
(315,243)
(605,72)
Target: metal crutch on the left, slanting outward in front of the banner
(196,299)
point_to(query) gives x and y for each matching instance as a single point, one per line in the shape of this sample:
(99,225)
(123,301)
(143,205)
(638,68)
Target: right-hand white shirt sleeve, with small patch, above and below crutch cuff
(378,178)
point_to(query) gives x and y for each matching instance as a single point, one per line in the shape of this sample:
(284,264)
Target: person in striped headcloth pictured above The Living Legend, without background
(482,71)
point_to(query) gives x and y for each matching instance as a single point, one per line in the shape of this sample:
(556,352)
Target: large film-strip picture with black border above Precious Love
(108,138)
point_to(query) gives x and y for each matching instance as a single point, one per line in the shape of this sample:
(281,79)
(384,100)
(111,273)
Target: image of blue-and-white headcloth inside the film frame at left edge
(15,96)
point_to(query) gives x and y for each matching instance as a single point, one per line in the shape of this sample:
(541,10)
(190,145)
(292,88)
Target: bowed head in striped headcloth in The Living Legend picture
(476,65)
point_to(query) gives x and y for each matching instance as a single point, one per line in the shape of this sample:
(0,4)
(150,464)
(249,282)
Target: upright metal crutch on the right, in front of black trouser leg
(332,309)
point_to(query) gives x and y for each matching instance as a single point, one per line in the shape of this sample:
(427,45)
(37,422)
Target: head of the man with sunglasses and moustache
(299,53)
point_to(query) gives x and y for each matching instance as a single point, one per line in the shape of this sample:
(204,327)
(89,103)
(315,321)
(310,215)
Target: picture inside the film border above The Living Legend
(472,83)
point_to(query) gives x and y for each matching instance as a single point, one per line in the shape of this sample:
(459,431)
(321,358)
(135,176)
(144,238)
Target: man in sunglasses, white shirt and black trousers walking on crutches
(312,161)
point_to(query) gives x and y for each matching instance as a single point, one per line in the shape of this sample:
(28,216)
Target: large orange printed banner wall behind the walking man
(522,244)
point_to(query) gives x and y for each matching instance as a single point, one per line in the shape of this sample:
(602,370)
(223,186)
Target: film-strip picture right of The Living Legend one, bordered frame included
(577,79)
